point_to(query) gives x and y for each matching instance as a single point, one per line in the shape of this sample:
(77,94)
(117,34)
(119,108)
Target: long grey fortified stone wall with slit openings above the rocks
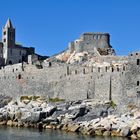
(75,82)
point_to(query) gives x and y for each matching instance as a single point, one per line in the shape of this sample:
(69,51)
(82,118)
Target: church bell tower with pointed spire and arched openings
(8,38)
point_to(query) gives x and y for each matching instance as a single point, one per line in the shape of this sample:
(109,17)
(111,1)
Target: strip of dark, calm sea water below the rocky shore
(13,133)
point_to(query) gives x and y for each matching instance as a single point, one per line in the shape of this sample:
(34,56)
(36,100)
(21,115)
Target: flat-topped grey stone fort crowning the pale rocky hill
(89,41)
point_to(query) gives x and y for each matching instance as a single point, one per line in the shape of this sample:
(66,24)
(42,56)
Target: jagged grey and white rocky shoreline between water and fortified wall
(89,117)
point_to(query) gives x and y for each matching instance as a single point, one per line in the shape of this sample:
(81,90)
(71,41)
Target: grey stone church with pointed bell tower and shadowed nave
(10,51)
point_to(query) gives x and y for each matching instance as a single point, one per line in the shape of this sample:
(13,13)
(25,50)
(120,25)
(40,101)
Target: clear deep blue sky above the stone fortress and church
(49,25)
